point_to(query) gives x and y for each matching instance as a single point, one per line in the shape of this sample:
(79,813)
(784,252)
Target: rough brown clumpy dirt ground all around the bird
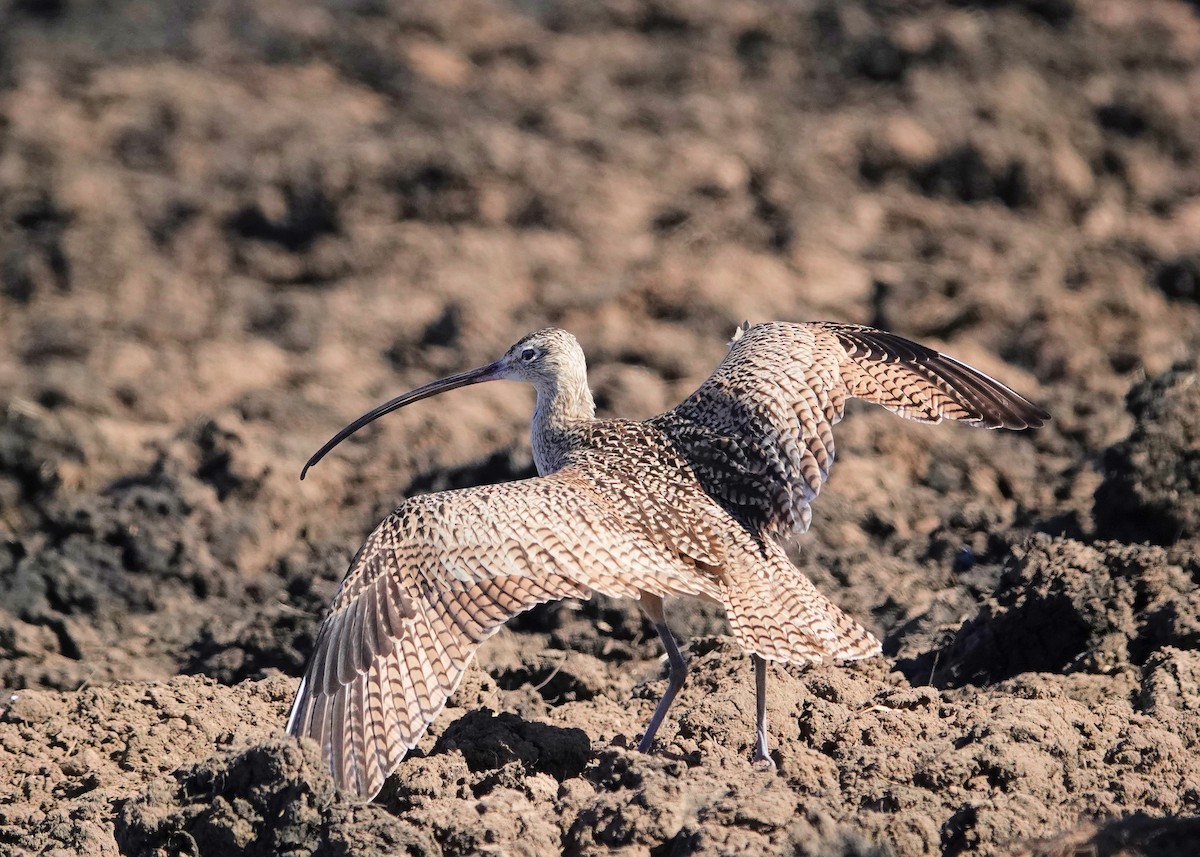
(229,229)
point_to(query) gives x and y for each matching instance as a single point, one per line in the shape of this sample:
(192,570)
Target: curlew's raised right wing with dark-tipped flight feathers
(759,432)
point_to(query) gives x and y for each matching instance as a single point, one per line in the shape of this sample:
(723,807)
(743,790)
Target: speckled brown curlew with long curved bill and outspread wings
(700,501)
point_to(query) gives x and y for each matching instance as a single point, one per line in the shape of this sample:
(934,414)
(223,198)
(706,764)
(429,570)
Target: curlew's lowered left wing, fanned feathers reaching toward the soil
(436,579)
